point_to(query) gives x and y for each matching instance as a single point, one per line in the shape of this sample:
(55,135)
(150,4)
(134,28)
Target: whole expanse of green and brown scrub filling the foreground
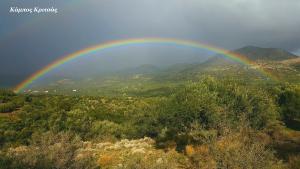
(209,123)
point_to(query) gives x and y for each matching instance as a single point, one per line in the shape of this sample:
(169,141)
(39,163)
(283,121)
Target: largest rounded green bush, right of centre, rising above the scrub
(215,105)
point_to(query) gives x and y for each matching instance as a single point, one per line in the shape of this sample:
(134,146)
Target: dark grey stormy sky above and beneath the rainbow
(29,42)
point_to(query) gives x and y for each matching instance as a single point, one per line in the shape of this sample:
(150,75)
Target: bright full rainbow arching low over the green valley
(118,43)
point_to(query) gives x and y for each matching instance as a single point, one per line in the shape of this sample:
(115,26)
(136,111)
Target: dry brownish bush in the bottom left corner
(47,151)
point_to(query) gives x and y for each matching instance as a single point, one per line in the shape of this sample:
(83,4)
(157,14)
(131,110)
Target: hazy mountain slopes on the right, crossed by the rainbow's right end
(279,62)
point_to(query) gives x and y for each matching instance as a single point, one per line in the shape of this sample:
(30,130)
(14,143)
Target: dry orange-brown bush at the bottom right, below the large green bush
(235,150)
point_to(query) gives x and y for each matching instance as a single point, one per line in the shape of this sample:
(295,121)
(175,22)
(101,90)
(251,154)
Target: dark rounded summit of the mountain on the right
(258,53)
